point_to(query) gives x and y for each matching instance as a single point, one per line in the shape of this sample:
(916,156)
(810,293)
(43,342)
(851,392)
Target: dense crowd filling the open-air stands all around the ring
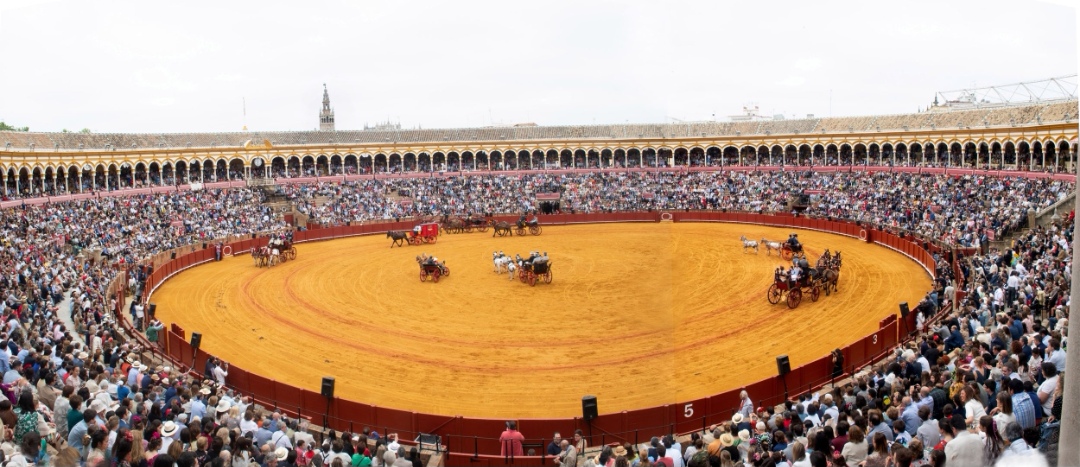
(987,373)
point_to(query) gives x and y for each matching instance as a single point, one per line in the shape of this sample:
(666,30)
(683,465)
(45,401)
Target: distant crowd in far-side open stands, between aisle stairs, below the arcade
(967,211)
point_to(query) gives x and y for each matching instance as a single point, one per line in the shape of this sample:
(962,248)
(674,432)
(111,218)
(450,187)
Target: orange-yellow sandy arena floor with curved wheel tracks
(639,315)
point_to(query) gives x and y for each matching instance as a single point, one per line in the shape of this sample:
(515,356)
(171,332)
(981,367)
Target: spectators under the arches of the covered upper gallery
(58,185)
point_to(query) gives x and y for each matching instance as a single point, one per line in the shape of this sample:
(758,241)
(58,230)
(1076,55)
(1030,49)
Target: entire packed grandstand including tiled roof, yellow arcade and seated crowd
(979,385)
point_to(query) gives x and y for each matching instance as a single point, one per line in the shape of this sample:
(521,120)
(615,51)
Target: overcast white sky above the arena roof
(148,66)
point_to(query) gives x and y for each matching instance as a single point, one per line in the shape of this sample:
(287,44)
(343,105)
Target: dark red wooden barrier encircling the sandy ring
(471,437)
